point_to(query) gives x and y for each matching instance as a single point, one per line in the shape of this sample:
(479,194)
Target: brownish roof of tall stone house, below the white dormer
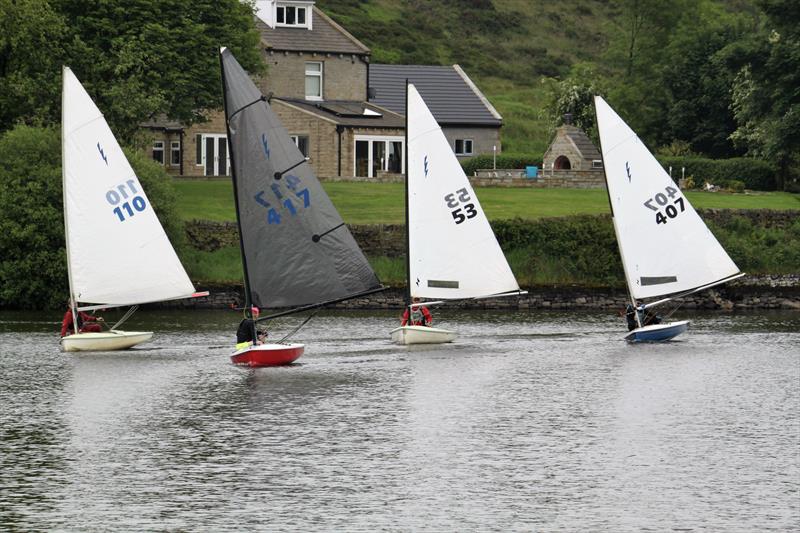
(325,36)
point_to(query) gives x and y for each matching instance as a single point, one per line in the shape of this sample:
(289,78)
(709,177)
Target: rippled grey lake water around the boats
(530,422)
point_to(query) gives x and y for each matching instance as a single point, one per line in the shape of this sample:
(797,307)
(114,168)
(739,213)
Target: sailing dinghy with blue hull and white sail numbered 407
(667,250)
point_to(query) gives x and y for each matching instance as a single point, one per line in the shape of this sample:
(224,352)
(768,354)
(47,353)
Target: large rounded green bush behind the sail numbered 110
(33,266)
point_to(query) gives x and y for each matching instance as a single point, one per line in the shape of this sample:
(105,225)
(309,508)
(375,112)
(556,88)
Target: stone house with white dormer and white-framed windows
(319,78)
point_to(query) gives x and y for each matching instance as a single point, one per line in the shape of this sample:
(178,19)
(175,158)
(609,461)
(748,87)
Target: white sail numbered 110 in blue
(117,251)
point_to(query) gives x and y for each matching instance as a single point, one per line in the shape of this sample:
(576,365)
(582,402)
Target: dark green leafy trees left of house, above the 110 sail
(137,59)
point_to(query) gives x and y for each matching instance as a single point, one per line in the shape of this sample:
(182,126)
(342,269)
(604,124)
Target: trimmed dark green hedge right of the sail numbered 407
(753,173)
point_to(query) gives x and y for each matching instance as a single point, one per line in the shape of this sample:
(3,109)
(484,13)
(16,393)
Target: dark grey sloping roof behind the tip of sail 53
(449,93)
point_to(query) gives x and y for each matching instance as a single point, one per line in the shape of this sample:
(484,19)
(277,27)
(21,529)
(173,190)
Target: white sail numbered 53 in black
(453,252)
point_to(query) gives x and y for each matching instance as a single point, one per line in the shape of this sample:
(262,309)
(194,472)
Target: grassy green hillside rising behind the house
(512,47)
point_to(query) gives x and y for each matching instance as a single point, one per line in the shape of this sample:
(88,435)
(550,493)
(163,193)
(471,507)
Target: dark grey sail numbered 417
(295,246)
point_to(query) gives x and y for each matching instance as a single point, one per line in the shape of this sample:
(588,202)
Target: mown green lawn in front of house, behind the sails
(374,203)
